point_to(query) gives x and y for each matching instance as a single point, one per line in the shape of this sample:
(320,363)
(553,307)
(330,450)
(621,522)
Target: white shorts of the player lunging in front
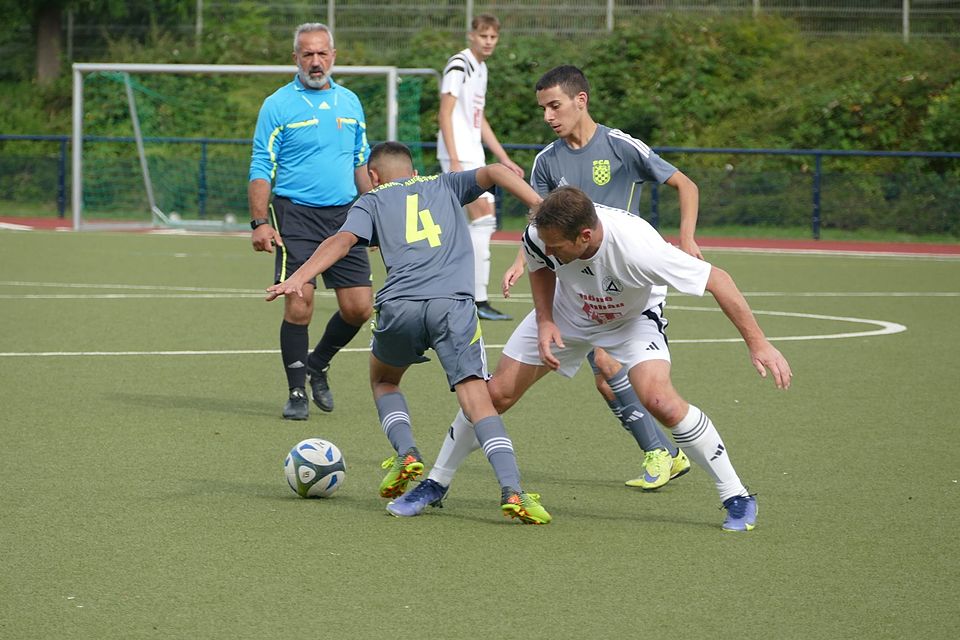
(629,341)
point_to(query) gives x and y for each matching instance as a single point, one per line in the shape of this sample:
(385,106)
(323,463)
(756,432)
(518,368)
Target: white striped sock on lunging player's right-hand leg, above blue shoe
(699,439)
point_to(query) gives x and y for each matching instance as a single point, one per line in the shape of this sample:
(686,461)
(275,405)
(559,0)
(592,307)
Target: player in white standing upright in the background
(463,132)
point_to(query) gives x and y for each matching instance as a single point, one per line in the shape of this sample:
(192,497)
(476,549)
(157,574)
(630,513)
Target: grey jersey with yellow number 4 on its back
(419,226)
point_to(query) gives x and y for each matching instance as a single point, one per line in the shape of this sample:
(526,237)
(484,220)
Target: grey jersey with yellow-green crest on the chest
(610,169)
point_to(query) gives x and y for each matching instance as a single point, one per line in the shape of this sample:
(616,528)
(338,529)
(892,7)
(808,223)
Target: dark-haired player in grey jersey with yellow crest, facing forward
(610,167)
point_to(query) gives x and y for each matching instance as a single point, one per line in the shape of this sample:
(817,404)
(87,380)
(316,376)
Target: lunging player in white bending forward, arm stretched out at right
(598,277)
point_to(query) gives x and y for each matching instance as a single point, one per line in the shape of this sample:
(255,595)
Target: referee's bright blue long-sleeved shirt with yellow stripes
(308,143)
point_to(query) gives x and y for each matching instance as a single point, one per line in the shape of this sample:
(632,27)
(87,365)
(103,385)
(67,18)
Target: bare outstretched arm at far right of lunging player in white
(763,355)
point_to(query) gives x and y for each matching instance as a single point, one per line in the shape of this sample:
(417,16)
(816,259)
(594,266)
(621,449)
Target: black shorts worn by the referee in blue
(303,228)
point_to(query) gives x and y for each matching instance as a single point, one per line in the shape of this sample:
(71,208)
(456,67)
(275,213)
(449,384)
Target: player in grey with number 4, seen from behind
(426,302)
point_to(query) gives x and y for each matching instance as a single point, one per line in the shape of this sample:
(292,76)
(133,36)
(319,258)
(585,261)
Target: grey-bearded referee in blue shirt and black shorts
(310,145)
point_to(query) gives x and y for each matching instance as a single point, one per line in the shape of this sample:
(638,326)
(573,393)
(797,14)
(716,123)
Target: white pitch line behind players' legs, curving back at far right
(884,328)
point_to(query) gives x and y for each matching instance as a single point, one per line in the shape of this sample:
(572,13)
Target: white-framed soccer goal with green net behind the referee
(168,145)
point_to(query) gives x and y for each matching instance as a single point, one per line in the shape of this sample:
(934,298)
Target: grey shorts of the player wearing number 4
(405,329)
